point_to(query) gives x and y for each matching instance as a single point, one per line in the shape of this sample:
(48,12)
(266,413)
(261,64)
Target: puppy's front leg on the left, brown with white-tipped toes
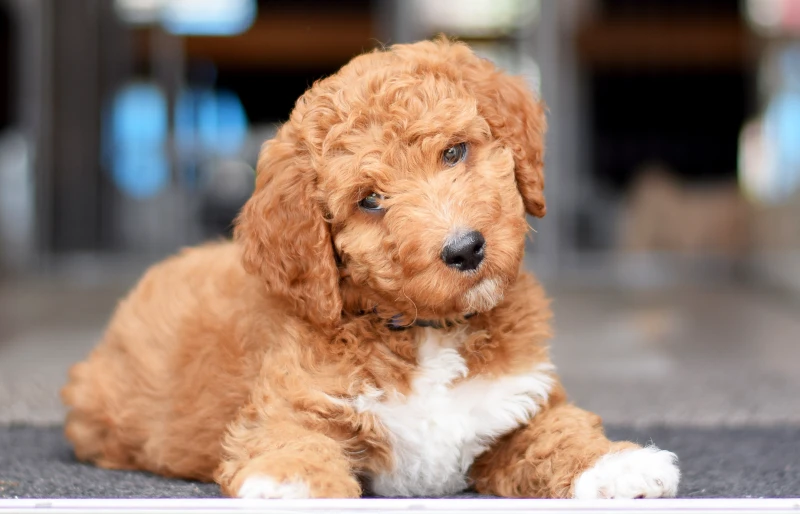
(268,454)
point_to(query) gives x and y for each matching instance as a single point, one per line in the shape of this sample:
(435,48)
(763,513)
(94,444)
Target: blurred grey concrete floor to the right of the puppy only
(693,357)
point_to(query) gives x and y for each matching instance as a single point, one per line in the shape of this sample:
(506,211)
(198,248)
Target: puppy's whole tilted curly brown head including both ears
(401,183)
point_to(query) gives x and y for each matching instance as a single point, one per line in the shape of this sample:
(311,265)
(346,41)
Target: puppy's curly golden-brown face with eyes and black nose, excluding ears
(426,215)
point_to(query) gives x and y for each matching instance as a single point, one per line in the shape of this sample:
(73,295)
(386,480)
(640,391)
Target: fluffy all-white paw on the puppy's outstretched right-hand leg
(642,473)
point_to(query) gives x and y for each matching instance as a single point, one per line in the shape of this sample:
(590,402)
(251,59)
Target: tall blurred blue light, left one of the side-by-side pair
(135,140)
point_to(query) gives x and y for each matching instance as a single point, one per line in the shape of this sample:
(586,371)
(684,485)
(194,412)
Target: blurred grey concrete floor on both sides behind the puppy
(702,356)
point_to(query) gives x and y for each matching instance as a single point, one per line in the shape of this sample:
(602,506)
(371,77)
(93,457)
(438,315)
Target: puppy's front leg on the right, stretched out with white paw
(563,453)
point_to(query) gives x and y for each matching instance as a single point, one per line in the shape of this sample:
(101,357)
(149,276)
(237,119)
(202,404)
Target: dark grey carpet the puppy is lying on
(736,462)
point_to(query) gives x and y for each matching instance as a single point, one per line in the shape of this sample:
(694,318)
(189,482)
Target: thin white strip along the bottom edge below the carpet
(415,505)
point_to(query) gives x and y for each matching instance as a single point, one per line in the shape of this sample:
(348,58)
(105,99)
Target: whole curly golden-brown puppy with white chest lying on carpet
(370,326)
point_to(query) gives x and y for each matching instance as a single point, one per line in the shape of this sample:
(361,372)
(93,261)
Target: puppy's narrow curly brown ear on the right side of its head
(515,117)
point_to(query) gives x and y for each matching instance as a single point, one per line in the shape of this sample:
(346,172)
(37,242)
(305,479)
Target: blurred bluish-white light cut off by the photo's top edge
(208,17)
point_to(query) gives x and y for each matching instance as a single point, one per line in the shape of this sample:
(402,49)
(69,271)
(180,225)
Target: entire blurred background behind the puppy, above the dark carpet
(130,128)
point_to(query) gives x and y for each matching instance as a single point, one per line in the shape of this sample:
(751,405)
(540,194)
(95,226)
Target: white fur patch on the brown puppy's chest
(440,428)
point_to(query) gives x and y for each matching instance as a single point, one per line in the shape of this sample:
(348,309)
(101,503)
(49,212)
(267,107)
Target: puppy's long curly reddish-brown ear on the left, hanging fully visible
(284,236)
